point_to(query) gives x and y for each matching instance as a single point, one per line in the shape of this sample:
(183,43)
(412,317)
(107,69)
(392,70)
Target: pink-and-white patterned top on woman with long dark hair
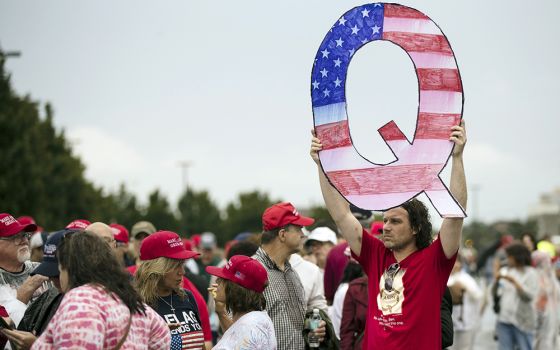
(90,318)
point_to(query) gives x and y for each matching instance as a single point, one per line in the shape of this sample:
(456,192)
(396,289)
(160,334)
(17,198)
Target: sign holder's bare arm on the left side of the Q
(337,206)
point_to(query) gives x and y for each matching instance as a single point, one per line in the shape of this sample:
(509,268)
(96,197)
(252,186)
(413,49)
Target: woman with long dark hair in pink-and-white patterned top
(100,309)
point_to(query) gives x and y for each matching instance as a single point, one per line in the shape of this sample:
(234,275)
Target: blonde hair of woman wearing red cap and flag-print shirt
(150,275)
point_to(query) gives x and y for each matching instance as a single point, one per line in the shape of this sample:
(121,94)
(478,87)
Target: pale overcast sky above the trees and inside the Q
(140,85)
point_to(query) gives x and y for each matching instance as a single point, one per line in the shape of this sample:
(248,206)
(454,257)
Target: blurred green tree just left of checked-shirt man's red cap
(245,213)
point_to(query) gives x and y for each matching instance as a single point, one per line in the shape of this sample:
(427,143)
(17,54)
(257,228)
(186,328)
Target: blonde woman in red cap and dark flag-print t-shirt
(159,281)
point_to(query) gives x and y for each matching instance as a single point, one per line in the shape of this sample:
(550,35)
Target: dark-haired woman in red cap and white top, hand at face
(239,292)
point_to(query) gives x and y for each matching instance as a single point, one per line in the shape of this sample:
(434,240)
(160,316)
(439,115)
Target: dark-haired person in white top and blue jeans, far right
(518,285)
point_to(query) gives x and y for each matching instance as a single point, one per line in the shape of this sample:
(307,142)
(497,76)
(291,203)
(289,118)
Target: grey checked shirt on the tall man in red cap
(285,303)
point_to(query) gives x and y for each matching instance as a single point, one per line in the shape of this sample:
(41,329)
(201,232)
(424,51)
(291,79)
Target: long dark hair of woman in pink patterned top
(90,260)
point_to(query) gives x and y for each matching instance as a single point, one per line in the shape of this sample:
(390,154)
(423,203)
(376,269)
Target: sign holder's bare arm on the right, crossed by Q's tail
(451,228)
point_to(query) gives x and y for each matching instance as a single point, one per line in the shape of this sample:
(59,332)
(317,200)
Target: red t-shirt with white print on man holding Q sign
(408,315)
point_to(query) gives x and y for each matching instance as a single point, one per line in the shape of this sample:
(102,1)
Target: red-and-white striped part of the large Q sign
(378,187)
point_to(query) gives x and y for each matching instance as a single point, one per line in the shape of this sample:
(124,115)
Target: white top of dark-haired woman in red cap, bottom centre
(253,331)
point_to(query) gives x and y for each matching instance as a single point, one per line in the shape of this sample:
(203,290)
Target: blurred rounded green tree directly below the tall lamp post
(198,213)
